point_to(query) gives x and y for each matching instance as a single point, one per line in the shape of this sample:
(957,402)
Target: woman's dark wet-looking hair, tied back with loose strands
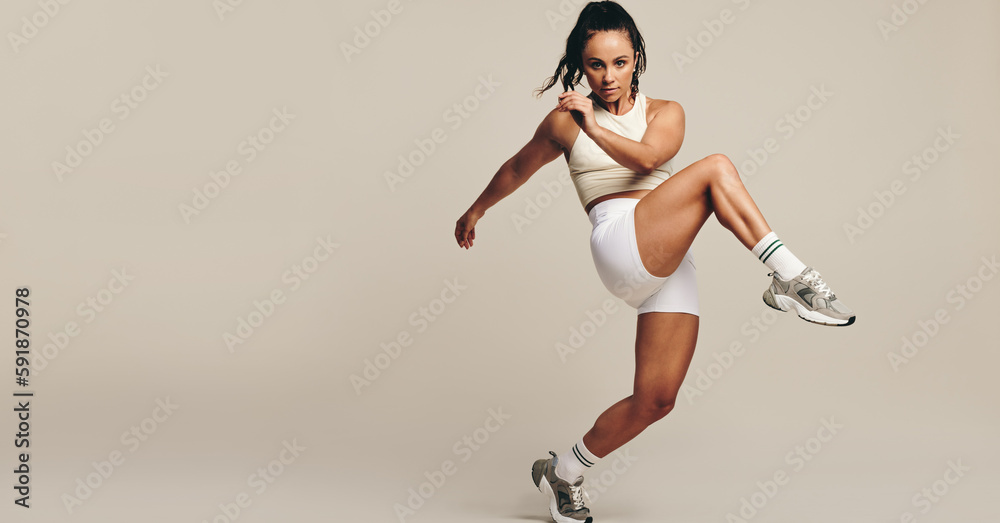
(596,17)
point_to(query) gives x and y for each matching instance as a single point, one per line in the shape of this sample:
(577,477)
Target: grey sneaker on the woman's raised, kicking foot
(811,298)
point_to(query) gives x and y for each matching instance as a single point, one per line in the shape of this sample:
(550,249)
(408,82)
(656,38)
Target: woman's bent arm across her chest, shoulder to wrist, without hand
(661,141)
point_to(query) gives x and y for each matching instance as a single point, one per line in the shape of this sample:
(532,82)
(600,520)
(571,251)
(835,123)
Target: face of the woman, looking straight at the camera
(608,62)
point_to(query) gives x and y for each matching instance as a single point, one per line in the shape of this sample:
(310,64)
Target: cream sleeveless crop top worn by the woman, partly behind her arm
(595,173)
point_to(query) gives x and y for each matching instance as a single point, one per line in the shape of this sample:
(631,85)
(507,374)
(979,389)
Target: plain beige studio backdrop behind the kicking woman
(494,346)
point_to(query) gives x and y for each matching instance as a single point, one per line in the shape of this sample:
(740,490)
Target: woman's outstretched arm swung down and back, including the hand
(540,150)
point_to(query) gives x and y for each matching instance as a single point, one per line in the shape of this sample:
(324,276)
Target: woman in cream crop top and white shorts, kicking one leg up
(618,145)
